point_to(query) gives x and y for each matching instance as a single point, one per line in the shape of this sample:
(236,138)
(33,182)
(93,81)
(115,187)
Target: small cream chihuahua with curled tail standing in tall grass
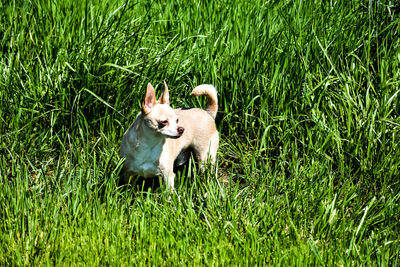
(162,136)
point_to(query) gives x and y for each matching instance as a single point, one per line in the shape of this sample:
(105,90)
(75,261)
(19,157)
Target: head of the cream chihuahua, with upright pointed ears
(159,116)
